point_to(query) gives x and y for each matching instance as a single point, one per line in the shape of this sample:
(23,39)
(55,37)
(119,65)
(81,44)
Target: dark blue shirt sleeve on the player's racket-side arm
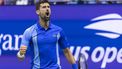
(63,40)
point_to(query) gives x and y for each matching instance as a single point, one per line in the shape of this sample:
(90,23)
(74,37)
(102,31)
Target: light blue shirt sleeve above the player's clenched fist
(26,38)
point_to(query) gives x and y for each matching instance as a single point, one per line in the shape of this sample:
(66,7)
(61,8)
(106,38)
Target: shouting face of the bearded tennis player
(44,11)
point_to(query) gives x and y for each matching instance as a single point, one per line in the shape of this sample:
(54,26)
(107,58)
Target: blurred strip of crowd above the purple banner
(32,2)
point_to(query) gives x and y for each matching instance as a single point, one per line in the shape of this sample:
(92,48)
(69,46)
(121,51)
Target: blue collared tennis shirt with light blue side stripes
(44,45)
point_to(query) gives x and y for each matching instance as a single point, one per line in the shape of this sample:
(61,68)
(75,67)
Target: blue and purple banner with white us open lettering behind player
(94,30)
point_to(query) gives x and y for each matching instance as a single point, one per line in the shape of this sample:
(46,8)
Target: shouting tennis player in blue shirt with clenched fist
(44,40)
